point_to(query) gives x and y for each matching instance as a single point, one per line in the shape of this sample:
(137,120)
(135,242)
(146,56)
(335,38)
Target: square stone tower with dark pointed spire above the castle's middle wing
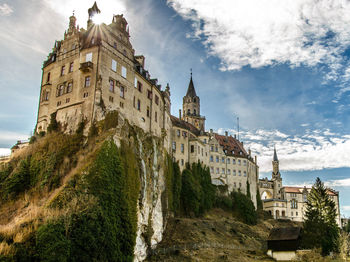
(191,107)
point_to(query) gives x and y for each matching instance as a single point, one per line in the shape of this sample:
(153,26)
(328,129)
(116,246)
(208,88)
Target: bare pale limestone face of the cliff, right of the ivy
(152,203)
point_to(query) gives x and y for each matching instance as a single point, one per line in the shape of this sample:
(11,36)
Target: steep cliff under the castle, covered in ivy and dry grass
(77,198)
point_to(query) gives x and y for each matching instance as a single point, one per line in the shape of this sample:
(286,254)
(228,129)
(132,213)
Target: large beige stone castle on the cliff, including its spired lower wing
(95,70)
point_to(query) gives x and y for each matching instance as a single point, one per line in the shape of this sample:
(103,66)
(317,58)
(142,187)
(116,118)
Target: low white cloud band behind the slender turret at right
(315,150)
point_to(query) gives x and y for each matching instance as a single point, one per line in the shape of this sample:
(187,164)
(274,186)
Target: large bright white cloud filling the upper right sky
(260,33)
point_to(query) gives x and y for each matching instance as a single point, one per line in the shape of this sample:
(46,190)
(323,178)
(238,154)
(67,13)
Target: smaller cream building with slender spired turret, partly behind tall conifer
(286,202)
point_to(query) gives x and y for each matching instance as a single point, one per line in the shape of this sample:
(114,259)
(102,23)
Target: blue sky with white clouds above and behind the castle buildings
(282,67)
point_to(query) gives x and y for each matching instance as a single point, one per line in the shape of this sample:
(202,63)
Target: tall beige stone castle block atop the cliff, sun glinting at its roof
(94,71)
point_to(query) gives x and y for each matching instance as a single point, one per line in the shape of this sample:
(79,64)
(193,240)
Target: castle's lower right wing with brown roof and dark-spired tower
(228,161)
